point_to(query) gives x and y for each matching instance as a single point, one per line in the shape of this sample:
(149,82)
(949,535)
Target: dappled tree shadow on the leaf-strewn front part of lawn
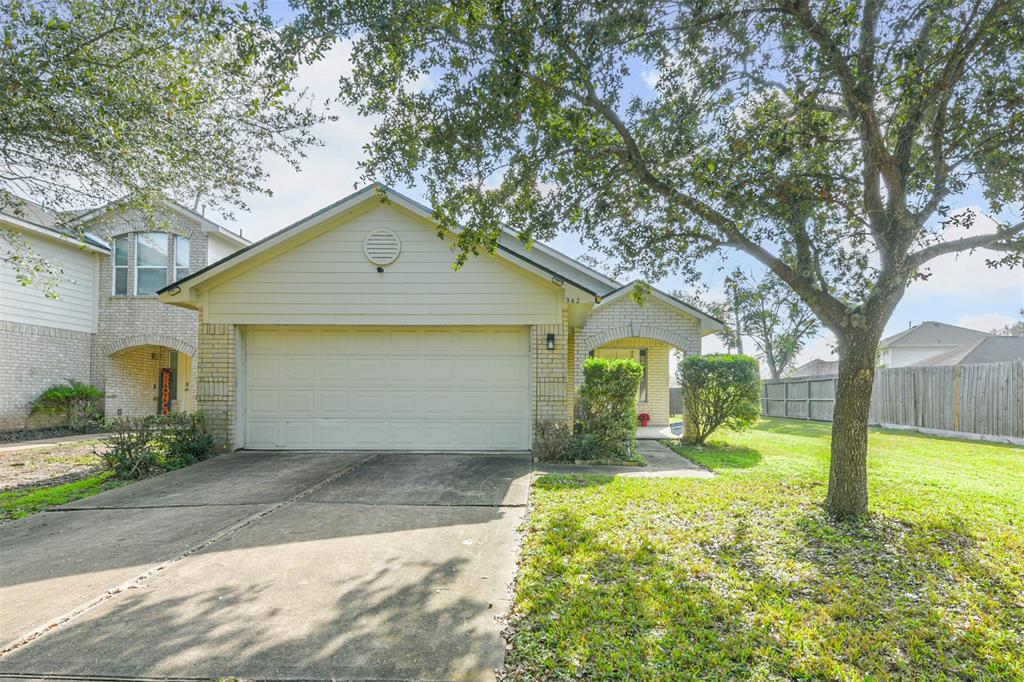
(733,595)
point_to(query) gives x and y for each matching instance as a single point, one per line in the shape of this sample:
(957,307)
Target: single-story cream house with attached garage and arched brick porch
(351,329)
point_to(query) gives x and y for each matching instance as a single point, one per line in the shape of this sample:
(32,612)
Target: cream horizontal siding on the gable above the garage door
(327,280)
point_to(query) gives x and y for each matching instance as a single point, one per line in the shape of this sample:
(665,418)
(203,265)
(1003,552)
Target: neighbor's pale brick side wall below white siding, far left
(34,359)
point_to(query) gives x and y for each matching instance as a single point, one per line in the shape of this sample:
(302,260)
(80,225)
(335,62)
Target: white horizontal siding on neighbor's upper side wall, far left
(75,308)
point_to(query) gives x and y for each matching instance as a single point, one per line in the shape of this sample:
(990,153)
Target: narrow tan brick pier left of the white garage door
(216,391)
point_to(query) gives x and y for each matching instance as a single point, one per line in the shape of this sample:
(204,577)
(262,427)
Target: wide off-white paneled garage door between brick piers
(388,389)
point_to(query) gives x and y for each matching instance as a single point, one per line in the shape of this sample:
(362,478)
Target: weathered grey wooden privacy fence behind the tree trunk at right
(987,400)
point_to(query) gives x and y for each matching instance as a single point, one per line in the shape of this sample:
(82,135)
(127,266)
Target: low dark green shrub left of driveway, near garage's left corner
(141,447)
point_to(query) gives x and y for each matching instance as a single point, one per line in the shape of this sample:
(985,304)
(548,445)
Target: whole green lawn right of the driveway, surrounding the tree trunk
(743,577)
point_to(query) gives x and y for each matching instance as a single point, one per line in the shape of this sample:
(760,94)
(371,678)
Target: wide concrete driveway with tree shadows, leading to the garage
(272,566)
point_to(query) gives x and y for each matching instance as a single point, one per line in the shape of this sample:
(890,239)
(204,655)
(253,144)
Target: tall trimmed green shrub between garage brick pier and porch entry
(609,406)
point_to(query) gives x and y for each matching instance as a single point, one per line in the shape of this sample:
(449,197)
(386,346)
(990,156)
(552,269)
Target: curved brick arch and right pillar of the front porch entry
(651,346)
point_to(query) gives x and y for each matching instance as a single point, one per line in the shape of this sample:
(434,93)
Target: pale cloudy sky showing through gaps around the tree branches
(961,291)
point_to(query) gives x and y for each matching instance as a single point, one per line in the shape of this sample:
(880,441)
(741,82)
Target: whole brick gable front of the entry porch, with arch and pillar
(624,322)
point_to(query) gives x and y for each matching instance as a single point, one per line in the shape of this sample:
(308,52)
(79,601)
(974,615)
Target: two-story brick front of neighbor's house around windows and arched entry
(142,318)
